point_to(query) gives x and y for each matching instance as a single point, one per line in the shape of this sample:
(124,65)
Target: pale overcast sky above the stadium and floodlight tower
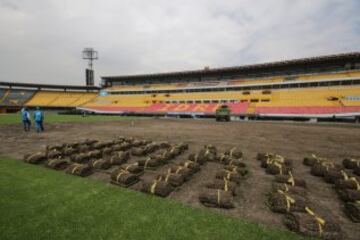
(41,40)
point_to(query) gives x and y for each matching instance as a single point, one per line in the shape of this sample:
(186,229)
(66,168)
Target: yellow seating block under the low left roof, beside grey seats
(60,99)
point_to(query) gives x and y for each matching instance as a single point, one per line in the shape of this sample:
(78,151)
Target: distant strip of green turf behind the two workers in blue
(54,118)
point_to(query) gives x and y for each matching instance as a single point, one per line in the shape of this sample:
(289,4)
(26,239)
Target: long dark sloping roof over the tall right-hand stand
(328,60)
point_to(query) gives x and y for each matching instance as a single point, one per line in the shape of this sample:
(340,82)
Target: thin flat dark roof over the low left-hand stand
(47,86)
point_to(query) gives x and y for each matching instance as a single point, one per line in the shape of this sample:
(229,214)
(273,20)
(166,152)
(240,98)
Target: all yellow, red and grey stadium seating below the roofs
(204,97)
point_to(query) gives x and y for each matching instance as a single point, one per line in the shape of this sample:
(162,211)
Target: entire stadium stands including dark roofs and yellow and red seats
(320,87)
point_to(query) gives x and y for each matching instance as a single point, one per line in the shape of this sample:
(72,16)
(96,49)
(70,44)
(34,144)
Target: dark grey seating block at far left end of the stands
(16,97)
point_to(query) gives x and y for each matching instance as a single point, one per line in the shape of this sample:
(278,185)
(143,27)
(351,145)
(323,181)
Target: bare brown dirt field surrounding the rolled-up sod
(292,140)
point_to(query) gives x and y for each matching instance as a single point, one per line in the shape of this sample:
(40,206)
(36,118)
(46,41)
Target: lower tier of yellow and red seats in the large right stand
(317,100)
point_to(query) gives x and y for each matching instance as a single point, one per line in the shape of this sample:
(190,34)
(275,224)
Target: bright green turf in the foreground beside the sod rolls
(39,203)
